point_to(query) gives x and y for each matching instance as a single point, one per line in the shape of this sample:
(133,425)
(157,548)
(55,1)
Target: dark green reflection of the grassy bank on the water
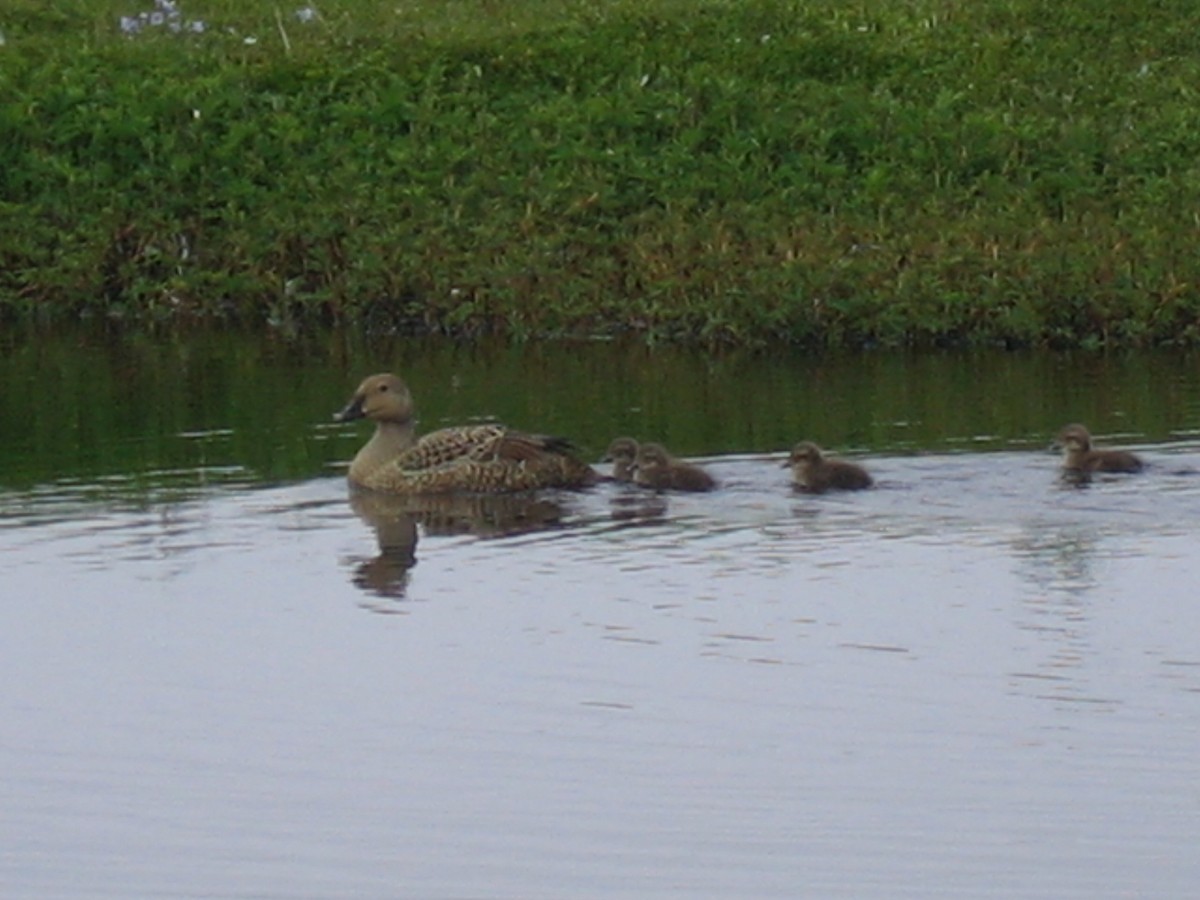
(125,406)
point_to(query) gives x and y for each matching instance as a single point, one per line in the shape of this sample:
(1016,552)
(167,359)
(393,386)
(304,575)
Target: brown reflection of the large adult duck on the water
(395,520)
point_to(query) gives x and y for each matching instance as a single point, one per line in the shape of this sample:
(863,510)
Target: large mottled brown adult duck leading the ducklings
(472,459)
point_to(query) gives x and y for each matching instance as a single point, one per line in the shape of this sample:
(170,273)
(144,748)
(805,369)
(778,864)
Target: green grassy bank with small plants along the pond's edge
(889,172)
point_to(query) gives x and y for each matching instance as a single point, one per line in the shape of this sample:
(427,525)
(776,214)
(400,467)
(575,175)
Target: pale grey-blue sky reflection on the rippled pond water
(970,675)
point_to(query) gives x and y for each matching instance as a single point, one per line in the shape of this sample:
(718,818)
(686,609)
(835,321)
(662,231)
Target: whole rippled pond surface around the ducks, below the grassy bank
(229,679)
